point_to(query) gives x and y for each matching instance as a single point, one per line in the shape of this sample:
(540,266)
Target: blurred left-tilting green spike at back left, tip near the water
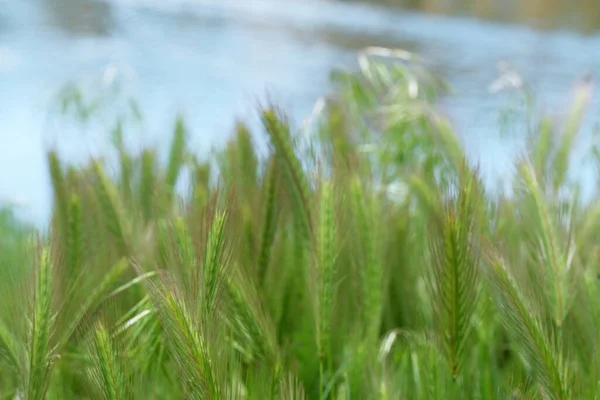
(112,208)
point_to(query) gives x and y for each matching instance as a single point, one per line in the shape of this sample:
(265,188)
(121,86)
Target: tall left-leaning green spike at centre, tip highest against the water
(279,133)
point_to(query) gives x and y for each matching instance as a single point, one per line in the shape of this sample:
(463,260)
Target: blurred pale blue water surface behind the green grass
(213,60)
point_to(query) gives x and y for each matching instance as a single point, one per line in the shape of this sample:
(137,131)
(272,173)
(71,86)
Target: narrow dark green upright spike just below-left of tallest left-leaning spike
(271,189)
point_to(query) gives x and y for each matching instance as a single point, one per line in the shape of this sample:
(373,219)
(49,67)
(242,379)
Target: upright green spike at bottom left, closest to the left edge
(40,357)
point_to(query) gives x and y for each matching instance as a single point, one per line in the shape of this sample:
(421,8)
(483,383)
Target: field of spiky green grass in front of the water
(329,268)
